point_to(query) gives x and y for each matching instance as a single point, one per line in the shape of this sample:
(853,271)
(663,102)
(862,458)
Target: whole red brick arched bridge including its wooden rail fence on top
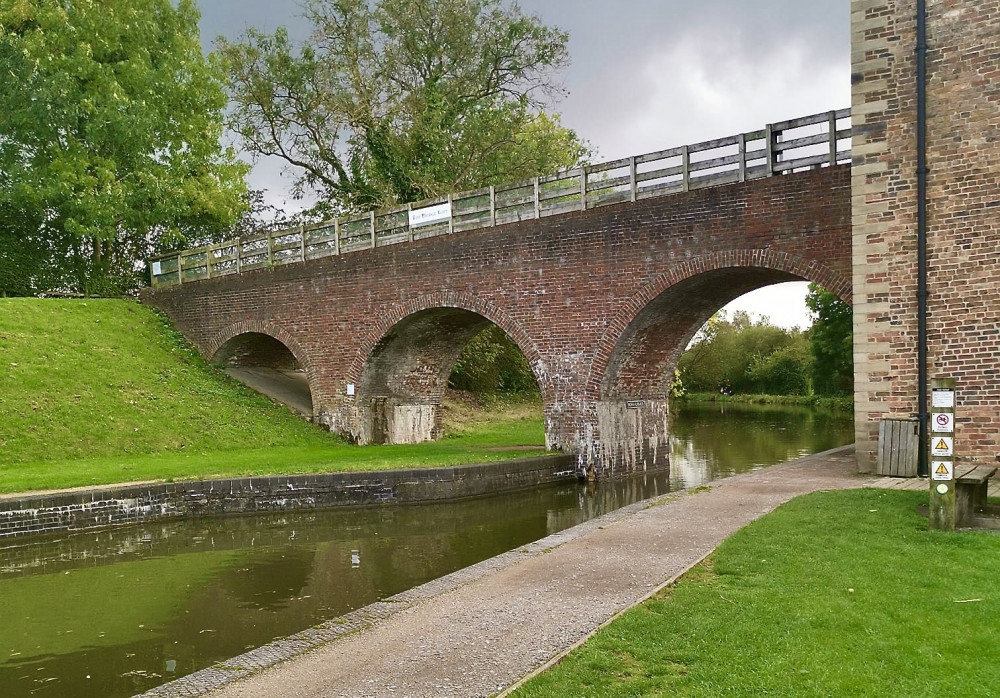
(598,276)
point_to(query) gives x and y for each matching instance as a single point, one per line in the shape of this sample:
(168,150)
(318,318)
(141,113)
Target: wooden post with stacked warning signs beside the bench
(942,452)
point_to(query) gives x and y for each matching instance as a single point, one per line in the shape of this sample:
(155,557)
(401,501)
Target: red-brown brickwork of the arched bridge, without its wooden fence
(600,302)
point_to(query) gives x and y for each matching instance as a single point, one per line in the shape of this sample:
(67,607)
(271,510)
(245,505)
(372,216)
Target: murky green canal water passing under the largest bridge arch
(117,612)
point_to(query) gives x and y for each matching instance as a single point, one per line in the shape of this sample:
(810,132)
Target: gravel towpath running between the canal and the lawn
(477,631)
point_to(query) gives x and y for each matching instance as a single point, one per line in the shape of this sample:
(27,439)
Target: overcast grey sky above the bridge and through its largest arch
(652,74)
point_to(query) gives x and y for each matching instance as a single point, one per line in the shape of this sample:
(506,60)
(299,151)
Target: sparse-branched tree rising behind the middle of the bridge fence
(401,100)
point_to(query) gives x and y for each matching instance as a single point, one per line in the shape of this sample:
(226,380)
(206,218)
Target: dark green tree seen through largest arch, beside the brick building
(831,342)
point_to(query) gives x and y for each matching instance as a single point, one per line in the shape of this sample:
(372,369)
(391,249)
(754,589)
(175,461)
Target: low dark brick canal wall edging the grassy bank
(94,508)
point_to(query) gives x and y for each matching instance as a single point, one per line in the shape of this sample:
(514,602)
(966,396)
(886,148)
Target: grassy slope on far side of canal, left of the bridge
(100,391)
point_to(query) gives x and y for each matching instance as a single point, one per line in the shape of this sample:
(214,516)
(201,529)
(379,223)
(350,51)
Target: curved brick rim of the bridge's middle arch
(449,299)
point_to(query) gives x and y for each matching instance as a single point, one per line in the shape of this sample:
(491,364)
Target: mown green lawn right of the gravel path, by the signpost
(834,594)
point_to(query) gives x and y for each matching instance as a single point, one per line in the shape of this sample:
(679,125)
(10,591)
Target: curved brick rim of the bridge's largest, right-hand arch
(765,260)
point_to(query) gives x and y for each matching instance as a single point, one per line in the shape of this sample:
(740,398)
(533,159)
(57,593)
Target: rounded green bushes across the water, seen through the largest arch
(746,356)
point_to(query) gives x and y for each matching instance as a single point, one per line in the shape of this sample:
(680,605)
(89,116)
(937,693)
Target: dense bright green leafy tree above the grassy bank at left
(110,119)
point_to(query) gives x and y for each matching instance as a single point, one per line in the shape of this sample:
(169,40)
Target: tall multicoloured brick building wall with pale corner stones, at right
(963,215)
